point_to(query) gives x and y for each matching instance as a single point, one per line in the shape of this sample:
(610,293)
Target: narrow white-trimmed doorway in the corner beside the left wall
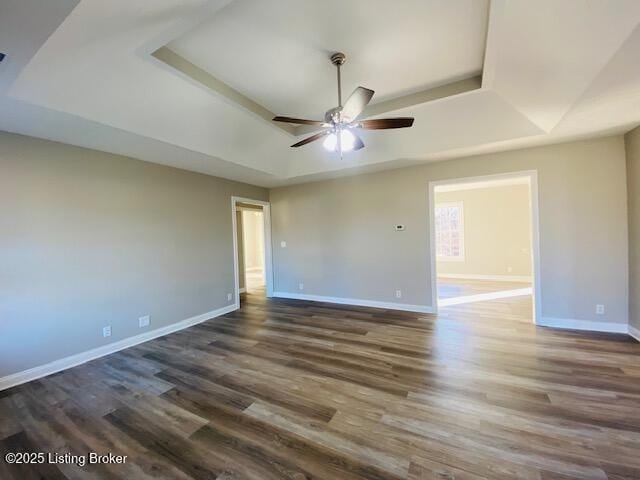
(252,248)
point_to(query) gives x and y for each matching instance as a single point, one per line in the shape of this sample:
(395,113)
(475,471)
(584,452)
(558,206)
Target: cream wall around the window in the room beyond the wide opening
(497,231)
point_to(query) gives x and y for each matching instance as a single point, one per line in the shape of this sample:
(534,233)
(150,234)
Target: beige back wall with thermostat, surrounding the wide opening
(341,241)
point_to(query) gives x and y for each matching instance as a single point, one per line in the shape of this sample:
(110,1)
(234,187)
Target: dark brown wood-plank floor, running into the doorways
(299,390)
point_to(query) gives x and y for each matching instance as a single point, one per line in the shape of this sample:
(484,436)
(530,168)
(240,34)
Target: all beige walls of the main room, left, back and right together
(89,239)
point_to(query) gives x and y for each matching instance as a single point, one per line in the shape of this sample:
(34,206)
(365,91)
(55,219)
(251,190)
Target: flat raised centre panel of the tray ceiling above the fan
(276,52)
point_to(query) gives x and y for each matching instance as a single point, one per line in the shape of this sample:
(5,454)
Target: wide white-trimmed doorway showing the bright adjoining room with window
(484,237)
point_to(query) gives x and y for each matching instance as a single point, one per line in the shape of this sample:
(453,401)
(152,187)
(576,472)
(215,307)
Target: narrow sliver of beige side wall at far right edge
(632,143)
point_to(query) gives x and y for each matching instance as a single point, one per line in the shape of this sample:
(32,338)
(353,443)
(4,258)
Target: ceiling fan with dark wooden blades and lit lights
(340,122)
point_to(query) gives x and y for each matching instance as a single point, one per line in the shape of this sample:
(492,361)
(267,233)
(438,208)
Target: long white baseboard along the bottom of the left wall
(80,358)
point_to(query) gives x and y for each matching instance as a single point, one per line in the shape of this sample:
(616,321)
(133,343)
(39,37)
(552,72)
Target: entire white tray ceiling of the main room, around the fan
(84,74)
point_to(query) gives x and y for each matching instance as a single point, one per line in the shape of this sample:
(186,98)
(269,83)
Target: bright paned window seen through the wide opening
(449,231)
